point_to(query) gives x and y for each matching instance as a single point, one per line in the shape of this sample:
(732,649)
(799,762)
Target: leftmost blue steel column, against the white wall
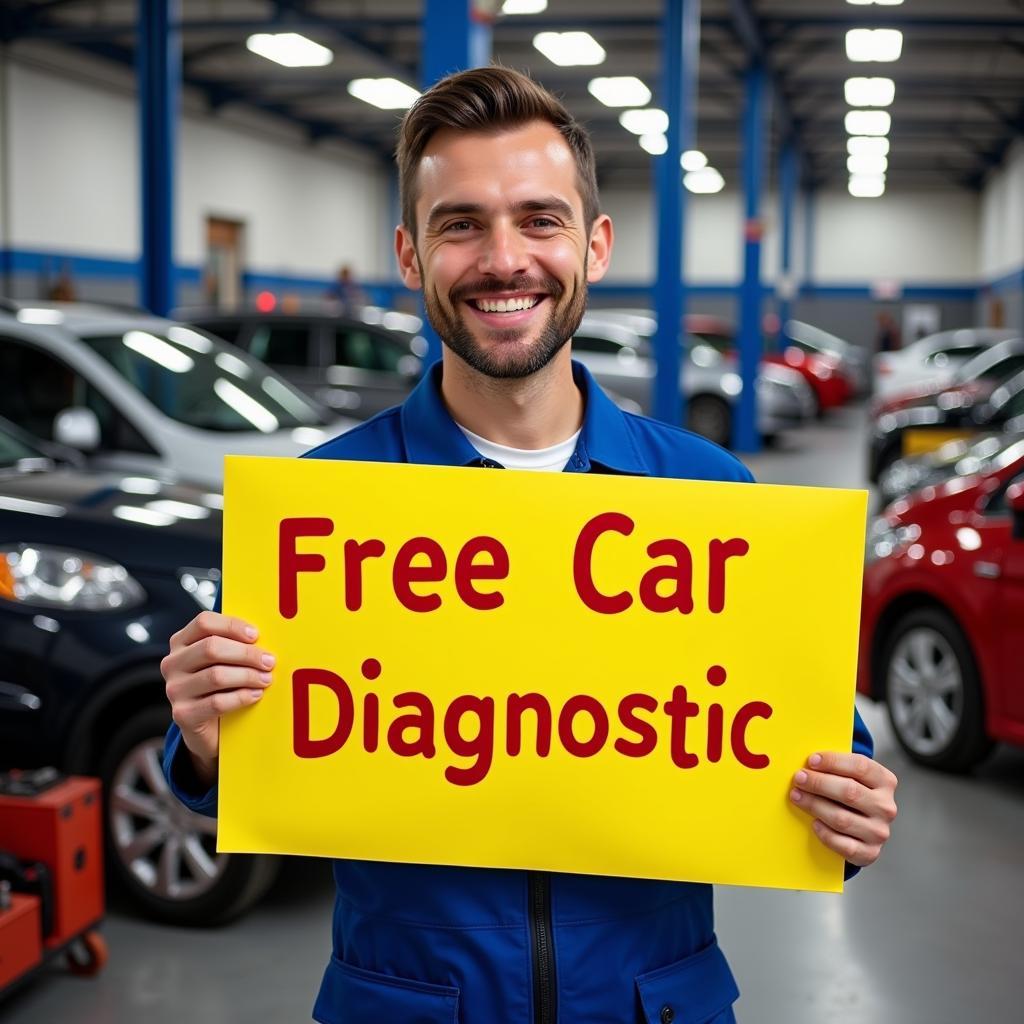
(159,71)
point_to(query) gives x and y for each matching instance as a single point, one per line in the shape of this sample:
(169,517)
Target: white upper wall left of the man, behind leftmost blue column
(74,185)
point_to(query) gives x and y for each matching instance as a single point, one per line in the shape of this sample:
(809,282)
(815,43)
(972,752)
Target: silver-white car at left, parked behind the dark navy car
(140,394)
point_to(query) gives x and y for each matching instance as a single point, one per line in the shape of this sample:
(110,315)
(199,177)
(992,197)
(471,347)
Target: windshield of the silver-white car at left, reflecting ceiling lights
(196,380)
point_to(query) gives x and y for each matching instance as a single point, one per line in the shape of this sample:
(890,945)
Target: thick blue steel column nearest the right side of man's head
(680,54)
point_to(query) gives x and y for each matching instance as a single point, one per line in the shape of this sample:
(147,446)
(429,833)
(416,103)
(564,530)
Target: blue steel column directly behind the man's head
(454,39)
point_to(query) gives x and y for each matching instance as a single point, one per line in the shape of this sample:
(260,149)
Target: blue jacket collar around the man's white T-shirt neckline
(432,438)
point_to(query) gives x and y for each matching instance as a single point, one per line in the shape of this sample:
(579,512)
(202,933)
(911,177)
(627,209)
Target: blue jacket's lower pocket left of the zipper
(352,996)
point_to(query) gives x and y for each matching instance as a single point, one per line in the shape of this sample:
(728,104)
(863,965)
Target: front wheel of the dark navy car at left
(161,855)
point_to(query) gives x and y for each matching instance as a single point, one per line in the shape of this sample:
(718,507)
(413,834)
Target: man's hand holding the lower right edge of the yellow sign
(851,800)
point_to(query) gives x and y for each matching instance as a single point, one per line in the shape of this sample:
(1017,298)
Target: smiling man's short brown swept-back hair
(489,100)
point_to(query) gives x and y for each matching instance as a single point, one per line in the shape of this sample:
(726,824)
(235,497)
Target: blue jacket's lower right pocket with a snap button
(699,990)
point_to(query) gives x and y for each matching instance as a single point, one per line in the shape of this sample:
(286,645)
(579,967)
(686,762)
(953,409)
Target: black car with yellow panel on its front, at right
(930,422)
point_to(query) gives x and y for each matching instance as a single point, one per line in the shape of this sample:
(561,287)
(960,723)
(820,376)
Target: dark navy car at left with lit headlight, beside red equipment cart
(98,571)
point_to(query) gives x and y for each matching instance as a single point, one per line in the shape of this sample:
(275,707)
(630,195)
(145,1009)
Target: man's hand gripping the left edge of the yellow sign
(214,669)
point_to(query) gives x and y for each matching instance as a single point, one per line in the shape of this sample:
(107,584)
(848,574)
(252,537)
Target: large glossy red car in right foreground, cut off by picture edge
(944,614)
